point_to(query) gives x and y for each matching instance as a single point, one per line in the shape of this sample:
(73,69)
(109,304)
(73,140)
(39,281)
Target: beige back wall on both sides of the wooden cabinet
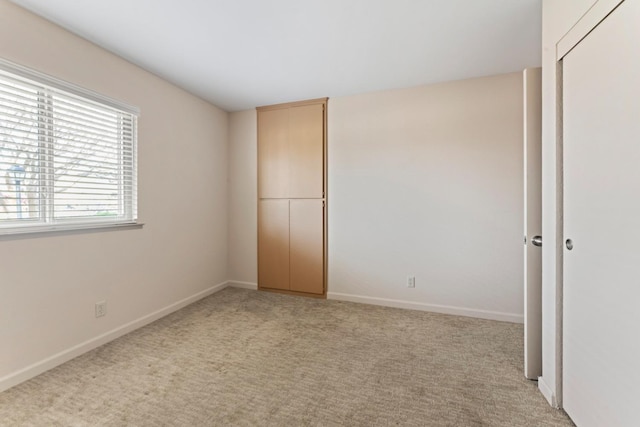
(424,181)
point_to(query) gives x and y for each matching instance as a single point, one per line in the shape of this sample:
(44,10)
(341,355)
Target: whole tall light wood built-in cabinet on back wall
(291,197)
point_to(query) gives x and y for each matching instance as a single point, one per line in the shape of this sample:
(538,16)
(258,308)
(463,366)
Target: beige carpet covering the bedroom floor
(253,358)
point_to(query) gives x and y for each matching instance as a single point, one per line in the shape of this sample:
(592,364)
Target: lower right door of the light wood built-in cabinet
(306,228)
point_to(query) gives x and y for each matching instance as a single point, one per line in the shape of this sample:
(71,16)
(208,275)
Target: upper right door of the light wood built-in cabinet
(306,151)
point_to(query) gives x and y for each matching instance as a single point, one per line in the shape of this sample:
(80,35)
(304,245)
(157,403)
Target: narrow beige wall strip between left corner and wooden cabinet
(243,194)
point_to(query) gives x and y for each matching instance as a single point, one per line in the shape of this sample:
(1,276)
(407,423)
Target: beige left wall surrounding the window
(49,285)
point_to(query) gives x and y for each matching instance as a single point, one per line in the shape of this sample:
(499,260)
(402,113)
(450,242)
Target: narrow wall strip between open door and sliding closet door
(558,16)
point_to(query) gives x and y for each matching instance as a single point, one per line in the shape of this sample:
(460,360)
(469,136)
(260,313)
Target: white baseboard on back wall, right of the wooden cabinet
(458,311)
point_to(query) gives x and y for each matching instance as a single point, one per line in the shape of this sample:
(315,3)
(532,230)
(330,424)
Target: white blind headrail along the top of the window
(28,73)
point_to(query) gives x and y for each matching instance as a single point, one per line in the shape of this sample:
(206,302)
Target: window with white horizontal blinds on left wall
(67,155)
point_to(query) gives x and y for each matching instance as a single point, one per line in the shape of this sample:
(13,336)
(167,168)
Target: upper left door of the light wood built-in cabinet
(273,154)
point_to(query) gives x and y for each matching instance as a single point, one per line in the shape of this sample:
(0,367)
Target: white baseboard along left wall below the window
(37,368)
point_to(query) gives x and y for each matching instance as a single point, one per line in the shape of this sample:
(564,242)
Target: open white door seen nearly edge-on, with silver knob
(532,223)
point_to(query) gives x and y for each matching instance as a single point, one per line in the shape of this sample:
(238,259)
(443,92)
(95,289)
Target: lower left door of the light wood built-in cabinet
(273,244)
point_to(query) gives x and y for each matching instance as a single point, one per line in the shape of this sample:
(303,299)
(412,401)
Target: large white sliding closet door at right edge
(601,300)
